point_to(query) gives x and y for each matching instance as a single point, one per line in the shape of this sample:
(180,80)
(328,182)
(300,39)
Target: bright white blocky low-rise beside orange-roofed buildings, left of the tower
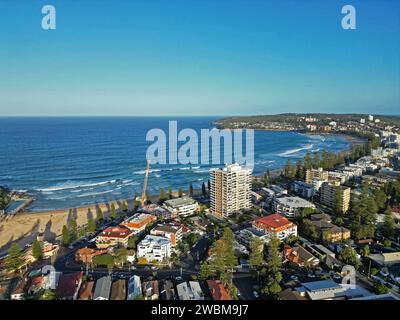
(154,248)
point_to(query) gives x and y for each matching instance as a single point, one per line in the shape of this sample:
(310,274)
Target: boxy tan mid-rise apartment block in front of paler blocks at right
(335,196)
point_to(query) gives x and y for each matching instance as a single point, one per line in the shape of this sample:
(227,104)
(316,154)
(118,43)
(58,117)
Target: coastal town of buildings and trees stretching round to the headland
(295,234)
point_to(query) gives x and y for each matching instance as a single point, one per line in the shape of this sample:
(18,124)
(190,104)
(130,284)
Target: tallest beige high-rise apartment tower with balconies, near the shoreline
(230,190)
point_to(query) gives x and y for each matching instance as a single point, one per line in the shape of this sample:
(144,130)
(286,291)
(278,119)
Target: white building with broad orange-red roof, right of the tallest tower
(275,225)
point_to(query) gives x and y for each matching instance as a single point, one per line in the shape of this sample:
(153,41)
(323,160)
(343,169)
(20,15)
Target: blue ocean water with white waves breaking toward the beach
(69,162)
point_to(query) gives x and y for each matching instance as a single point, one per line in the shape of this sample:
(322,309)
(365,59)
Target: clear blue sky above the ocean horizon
(198,57)
